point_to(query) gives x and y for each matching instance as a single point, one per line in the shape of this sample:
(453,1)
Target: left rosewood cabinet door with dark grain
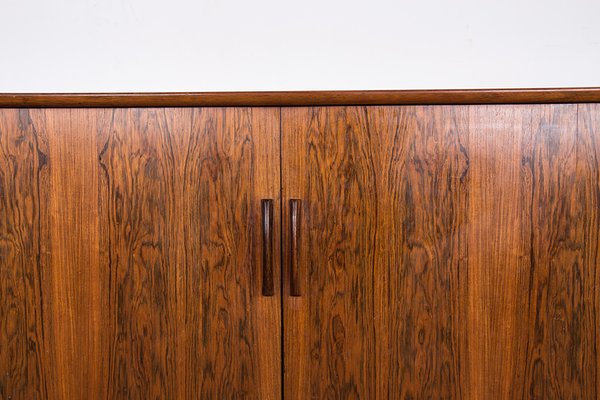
(131,254)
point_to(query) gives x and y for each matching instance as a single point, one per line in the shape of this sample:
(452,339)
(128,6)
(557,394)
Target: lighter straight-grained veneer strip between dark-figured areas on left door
(77,339)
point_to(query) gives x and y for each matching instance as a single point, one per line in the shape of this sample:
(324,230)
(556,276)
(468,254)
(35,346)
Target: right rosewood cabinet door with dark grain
(441,252)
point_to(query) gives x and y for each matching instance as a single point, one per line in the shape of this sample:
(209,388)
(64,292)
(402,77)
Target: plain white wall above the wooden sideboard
(213,45)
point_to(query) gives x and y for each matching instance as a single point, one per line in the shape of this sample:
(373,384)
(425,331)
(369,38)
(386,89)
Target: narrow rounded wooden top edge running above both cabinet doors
(302,98)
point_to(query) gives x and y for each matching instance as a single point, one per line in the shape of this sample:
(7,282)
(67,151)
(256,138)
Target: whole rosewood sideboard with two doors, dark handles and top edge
(335,245)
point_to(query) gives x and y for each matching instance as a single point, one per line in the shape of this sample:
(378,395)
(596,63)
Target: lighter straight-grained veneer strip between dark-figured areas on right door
(497,267)
